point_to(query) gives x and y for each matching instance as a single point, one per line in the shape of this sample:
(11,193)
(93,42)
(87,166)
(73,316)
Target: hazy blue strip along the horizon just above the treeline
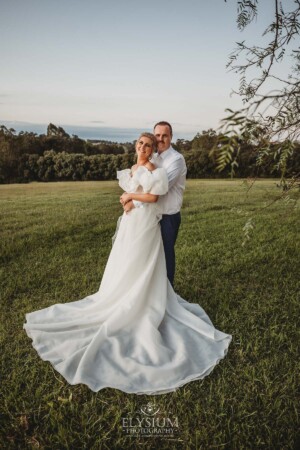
(101,133)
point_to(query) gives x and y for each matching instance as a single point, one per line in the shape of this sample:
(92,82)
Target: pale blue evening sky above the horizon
(115,64)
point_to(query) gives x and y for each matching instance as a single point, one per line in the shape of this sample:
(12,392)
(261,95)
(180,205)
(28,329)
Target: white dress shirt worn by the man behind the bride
(174,164)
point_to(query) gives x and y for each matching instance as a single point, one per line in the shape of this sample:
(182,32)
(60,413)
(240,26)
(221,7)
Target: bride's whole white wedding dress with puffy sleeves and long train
(135,333)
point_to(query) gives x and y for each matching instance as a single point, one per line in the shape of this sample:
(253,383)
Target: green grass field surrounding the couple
(55,240)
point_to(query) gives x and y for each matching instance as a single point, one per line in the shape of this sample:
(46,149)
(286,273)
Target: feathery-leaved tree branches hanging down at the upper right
(270,118)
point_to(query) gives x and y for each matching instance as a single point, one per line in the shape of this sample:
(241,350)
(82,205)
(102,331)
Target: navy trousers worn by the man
(170,224)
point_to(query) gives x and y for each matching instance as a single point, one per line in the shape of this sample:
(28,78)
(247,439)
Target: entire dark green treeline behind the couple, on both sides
(56,156)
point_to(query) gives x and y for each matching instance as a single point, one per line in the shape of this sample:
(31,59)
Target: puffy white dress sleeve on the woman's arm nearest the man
(155,182)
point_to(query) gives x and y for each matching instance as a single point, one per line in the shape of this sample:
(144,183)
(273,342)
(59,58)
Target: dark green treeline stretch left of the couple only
(56,156)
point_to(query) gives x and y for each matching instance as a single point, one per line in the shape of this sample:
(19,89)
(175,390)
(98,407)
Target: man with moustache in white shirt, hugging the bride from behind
(169,204)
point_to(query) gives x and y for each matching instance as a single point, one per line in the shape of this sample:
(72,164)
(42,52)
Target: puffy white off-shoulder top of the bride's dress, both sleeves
(143,180)
